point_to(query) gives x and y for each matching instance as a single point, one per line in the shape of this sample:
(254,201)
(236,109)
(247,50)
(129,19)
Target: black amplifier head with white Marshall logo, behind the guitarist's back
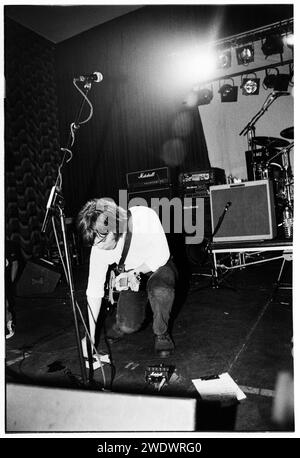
(148,178)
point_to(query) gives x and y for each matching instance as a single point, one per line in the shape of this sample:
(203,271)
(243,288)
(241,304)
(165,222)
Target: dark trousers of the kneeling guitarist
(160,291)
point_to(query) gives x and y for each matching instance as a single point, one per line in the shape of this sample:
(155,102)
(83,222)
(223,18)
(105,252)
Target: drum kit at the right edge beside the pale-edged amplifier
(271,160)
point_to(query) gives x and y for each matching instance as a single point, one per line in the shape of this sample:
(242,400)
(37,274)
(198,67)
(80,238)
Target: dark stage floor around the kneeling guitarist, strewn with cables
(245,331)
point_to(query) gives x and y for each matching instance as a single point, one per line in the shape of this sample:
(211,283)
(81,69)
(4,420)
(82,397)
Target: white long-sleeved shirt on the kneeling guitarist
(148,246)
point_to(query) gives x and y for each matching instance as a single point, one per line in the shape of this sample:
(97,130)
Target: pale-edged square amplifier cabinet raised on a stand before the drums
(251,211)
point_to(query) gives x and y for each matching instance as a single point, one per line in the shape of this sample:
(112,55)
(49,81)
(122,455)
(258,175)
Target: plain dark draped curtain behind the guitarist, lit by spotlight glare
(139,119)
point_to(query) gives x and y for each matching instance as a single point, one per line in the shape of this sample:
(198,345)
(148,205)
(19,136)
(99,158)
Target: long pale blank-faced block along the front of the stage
(43,409)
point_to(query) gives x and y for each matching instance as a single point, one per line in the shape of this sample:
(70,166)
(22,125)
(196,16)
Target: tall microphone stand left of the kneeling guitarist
(56,205)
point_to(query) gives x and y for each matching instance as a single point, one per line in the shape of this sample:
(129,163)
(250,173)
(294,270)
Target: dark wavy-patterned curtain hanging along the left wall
(31,135)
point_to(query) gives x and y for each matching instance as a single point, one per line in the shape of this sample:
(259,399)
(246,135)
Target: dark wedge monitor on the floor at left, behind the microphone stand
(38,277)
